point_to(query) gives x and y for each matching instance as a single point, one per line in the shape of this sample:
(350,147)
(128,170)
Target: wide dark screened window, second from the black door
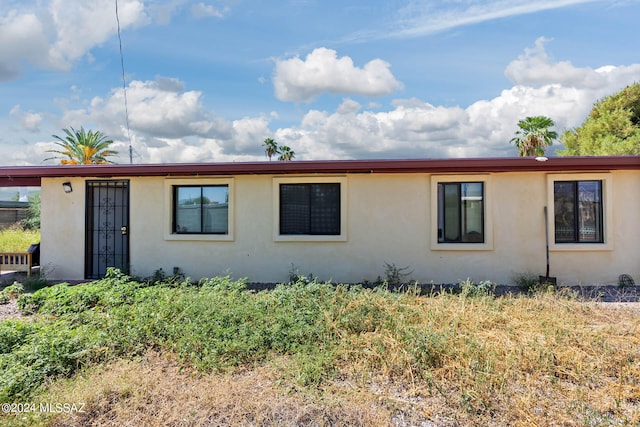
(310,209)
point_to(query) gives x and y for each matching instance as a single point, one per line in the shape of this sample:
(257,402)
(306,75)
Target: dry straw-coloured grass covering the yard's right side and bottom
(446,360)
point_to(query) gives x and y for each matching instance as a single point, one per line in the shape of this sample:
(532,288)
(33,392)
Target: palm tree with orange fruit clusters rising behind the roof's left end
(83,148)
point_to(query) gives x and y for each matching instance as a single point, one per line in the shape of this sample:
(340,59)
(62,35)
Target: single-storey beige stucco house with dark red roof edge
(447,219)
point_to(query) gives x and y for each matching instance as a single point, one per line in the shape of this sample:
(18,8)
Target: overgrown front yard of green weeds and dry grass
(330,354)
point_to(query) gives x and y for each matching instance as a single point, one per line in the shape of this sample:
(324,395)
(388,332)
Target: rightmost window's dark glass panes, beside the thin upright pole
(578,211)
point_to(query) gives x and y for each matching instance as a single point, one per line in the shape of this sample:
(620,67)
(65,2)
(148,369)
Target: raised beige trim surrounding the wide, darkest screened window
(277,237)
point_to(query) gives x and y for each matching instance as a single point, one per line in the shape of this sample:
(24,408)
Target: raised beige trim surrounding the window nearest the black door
(170,209)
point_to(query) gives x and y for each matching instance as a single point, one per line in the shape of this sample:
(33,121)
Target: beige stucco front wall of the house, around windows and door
(389,218)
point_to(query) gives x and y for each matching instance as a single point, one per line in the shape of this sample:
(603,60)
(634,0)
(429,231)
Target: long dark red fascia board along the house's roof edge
(31,175)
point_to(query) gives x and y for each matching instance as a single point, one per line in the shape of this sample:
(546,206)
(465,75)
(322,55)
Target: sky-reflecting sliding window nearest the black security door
(200,209)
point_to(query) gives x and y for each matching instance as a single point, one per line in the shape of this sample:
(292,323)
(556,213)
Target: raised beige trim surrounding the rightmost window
(606,180)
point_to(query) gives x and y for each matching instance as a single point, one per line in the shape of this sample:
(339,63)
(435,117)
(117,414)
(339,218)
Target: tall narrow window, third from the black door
(461,212)
